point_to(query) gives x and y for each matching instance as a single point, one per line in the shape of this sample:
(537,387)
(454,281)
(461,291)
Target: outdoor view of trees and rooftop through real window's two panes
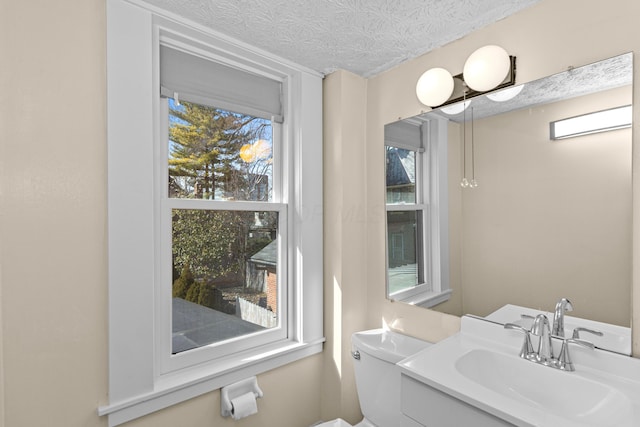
(224,260)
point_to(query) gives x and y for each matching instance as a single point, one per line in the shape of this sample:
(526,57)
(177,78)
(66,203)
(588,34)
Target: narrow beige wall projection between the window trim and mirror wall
(344,249)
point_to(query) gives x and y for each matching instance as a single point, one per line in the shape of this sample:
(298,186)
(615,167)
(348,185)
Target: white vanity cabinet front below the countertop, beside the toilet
(432,408)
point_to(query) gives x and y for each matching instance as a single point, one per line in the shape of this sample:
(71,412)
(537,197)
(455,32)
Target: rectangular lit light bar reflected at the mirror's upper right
(599,121)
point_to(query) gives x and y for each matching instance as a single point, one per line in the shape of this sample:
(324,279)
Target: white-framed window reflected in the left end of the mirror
(416,200)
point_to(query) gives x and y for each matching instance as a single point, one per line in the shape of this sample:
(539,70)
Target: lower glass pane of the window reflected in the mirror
(405,266)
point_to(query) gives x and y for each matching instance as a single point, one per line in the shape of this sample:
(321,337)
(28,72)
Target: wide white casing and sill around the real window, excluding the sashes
(140,379)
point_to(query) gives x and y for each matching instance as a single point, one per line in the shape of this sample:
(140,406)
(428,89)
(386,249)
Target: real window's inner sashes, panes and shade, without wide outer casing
(222,213)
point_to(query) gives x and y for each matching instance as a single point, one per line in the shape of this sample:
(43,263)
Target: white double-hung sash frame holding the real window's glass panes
(168,362)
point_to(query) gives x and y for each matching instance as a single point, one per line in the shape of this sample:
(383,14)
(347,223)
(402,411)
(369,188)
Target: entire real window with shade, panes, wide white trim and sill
(215,212)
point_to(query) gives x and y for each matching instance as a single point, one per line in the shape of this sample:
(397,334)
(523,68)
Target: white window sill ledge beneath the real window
(179,386)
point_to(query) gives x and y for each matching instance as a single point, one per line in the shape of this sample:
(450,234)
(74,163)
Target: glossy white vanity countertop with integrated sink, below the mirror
(480,366)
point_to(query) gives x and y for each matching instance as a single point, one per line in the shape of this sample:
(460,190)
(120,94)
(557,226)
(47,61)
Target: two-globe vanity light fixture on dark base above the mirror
(486,69)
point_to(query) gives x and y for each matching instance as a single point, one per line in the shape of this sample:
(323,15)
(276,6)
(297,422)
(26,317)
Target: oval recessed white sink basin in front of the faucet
(587,402)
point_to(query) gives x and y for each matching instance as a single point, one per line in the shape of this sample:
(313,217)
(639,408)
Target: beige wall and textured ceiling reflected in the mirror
(548,218)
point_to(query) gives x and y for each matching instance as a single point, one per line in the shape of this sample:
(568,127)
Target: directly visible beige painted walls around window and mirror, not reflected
(53,209)
